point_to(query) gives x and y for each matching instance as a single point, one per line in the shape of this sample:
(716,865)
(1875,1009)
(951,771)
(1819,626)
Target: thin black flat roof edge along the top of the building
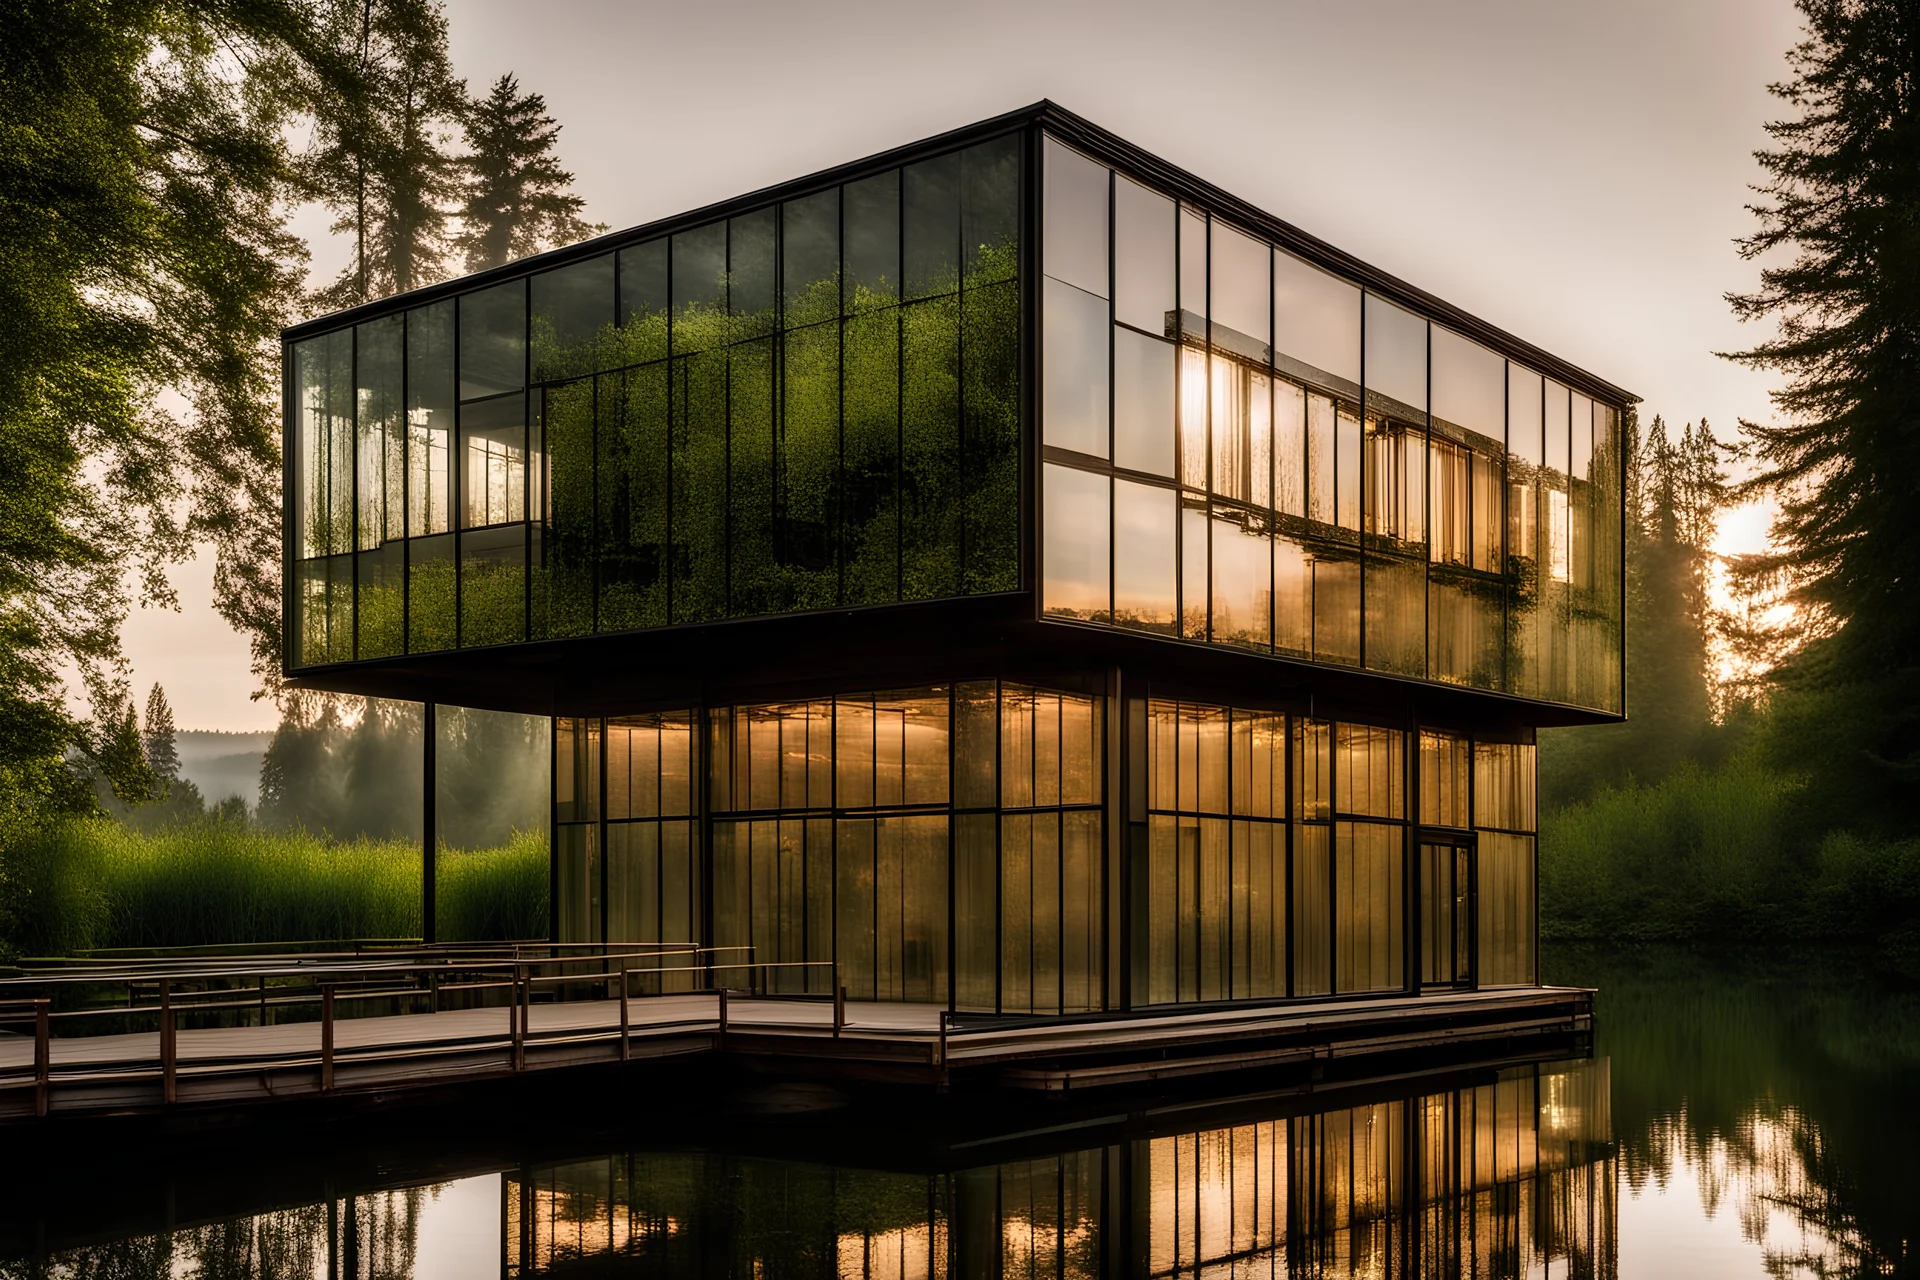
(1076,131)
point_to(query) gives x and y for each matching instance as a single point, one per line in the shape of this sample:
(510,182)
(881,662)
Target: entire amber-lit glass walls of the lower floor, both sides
(948,845)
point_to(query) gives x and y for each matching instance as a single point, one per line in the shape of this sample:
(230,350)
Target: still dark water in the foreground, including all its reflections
(1748,1118)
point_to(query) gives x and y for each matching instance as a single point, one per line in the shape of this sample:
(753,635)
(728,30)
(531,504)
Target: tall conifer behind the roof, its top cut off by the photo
(381,160)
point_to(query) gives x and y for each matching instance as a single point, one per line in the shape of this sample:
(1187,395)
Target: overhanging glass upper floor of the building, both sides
(1019,387)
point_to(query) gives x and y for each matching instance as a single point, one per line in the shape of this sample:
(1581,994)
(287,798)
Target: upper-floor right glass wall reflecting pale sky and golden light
(1247,450)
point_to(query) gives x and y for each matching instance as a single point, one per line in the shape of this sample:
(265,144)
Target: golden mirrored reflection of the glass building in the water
(1500,1179)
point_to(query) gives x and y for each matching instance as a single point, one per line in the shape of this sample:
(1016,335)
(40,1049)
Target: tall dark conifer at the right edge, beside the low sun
(1842,281)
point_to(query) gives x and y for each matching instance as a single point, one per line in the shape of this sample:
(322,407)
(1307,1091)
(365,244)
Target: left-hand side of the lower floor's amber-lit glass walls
(936,845)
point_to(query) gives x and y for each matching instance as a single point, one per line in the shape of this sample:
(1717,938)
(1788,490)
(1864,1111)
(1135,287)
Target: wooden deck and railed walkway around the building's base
(903,1043)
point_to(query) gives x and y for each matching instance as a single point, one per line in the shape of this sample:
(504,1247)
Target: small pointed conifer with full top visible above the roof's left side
(519,199)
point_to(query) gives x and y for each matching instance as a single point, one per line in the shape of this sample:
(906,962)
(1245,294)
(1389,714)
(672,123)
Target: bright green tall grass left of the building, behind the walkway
(99,884)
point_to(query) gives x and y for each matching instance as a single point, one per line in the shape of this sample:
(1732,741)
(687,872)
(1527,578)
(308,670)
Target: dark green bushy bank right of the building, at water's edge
(1716,855)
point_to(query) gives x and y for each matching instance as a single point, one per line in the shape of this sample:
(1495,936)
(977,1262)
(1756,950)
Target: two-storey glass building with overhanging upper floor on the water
(1009,571)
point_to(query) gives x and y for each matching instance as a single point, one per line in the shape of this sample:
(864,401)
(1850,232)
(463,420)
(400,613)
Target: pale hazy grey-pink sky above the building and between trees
(1575,174)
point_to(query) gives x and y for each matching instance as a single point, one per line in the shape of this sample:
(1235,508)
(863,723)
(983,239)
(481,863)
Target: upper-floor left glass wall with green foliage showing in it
(805,406)
